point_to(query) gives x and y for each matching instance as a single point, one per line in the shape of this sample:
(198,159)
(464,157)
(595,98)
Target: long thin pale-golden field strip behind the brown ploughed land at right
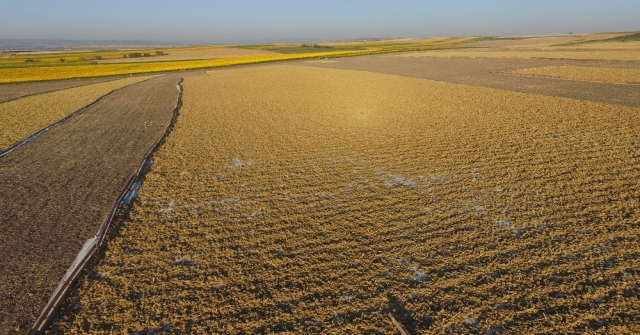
(579,55)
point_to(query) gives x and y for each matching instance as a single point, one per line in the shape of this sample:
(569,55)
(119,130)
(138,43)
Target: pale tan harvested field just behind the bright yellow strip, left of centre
(194,54)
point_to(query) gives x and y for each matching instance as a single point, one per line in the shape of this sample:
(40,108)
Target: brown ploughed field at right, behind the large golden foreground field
(491,73)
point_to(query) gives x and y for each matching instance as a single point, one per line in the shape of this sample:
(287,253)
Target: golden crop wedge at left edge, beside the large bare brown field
(23,117)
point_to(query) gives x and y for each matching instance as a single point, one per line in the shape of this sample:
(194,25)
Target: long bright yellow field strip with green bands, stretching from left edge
(84,65)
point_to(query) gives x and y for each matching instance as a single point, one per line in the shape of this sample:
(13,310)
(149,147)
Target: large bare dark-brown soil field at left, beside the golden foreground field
(57,190)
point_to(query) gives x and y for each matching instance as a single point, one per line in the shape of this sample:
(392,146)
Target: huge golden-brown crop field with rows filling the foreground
(300,200)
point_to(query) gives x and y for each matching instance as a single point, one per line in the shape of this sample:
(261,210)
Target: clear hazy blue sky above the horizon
(254,21)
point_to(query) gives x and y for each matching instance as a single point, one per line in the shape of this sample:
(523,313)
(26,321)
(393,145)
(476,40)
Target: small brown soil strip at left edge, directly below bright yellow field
(10,92)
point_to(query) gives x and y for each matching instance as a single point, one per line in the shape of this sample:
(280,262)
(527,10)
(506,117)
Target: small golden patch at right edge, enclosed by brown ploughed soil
(608,75)
